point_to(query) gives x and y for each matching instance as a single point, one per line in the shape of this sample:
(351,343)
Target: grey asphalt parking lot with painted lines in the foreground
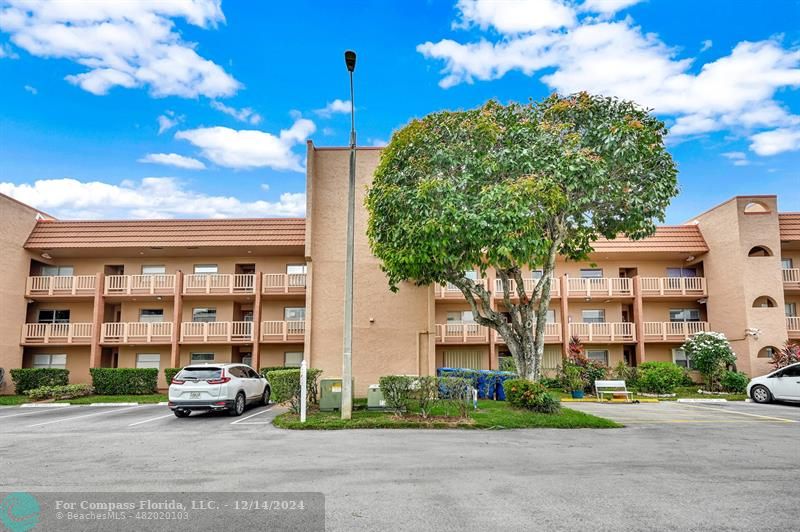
(675,466)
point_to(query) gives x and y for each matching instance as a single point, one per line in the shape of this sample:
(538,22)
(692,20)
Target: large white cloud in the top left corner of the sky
(127,44)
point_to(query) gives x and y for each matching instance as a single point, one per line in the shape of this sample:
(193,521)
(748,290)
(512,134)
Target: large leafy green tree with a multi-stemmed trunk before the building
(515,186)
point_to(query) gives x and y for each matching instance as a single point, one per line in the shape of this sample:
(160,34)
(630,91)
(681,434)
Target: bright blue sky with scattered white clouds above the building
(196,108)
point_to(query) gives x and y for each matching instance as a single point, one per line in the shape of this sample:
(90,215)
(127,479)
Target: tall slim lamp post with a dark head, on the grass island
(347,351)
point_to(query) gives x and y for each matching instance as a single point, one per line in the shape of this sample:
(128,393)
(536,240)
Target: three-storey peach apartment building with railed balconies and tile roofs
(268,292)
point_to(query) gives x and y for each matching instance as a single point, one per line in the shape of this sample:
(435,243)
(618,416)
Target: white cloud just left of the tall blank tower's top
(250,148)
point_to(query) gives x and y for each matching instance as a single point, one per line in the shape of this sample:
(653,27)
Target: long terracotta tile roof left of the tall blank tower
(168,233)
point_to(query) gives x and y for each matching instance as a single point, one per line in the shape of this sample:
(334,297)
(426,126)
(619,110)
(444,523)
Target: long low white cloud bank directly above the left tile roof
(152,197)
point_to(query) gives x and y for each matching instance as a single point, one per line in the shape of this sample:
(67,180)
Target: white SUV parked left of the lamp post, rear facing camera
(217,387)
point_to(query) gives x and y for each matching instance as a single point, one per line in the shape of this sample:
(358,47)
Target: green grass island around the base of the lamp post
(490,415)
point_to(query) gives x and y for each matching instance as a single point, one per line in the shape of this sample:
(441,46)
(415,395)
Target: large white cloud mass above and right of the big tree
(618,58)
